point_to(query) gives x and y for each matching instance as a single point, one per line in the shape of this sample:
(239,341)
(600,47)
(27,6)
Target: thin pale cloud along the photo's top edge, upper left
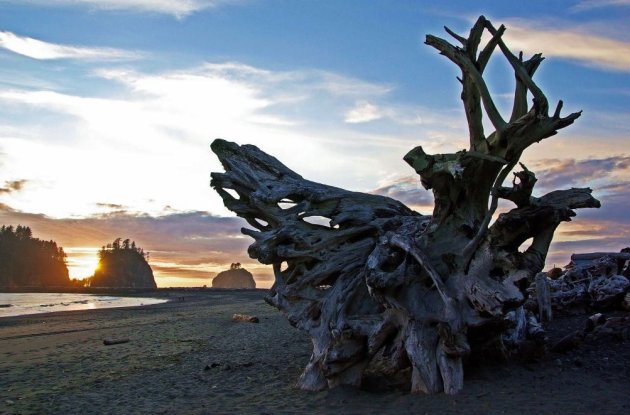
(177,8)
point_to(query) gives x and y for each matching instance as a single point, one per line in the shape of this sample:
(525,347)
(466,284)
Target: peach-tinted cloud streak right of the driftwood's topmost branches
(558,39)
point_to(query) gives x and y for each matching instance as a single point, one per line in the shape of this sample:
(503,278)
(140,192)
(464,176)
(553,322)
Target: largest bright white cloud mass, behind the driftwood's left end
(159,125)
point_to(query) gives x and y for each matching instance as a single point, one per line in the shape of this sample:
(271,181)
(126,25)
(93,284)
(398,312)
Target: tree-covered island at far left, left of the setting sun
(26,261)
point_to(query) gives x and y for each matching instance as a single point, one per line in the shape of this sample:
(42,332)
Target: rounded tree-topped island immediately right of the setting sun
(122,265)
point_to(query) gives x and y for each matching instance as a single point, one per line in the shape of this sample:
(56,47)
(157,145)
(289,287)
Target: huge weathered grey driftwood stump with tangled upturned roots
(381,288)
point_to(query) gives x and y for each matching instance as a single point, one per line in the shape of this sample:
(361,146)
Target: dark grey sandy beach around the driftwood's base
(190,357)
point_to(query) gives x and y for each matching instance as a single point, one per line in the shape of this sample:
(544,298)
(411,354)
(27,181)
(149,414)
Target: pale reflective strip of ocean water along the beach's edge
(35,303)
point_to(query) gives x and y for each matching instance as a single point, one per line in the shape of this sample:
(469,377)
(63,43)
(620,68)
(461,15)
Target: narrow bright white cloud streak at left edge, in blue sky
(38,49)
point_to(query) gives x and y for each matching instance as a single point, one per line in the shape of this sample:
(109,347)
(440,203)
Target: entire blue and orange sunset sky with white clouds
(108,108)
